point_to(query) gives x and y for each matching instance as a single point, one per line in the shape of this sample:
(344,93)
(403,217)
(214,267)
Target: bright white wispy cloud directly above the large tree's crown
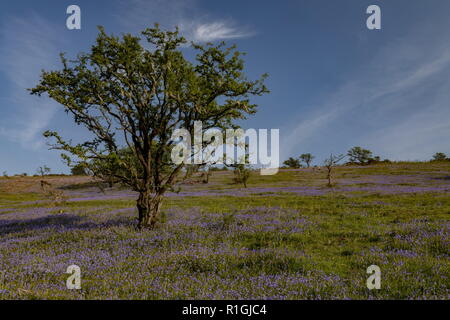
(194,24)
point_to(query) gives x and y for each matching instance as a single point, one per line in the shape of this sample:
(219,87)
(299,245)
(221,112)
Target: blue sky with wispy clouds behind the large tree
(334,83)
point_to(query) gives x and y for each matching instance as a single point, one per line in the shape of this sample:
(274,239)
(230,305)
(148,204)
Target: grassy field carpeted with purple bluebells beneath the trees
(286,236)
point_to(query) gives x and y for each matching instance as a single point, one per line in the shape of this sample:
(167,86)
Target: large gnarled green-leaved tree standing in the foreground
(132,97)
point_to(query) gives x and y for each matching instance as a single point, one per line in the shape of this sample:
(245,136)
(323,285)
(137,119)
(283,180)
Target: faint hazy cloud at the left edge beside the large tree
(27,48)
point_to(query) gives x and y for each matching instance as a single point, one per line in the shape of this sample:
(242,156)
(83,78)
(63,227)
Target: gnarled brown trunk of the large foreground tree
(149,207)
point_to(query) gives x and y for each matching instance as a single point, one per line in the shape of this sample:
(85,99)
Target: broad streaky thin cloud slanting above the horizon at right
(397,105)
